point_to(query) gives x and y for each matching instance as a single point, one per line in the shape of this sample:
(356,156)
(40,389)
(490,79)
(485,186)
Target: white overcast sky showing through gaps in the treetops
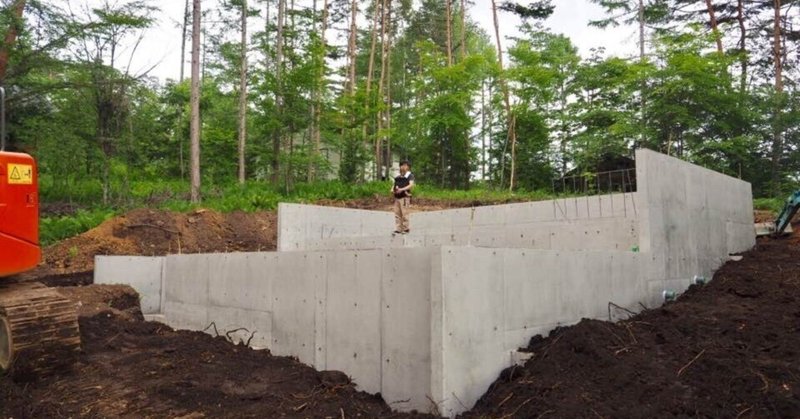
(161,45)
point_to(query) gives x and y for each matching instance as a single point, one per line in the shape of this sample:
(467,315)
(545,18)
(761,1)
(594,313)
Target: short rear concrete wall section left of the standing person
(300,226)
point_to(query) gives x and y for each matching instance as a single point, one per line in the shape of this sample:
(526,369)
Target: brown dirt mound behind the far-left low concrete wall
(154,232)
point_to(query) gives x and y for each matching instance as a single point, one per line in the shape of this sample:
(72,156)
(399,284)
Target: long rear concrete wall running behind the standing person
(607,222)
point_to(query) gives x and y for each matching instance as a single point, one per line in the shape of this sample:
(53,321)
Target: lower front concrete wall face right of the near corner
(494,300)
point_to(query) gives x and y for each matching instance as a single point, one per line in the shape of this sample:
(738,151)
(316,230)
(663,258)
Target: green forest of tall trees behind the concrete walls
(343,89)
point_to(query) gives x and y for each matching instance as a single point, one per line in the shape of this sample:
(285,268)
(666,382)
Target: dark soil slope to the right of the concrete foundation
(728,349)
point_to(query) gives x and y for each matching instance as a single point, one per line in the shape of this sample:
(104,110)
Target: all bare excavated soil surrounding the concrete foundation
(730,348)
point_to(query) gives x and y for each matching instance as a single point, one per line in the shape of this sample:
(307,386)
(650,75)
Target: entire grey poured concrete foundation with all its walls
(434,316)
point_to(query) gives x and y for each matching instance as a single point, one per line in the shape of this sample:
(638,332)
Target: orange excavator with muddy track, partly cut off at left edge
(38,326)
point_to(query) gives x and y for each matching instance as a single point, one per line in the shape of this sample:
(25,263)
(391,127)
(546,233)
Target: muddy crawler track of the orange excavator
(39,332)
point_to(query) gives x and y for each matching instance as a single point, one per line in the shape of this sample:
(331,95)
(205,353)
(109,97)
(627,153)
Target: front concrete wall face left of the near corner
(366,313)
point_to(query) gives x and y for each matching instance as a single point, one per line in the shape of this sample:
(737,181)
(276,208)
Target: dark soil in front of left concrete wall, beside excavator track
(144,369)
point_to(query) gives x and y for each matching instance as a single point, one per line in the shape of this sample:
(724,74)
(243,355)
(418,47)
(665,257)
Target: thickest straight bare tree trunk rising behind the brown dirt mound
(195,104)
